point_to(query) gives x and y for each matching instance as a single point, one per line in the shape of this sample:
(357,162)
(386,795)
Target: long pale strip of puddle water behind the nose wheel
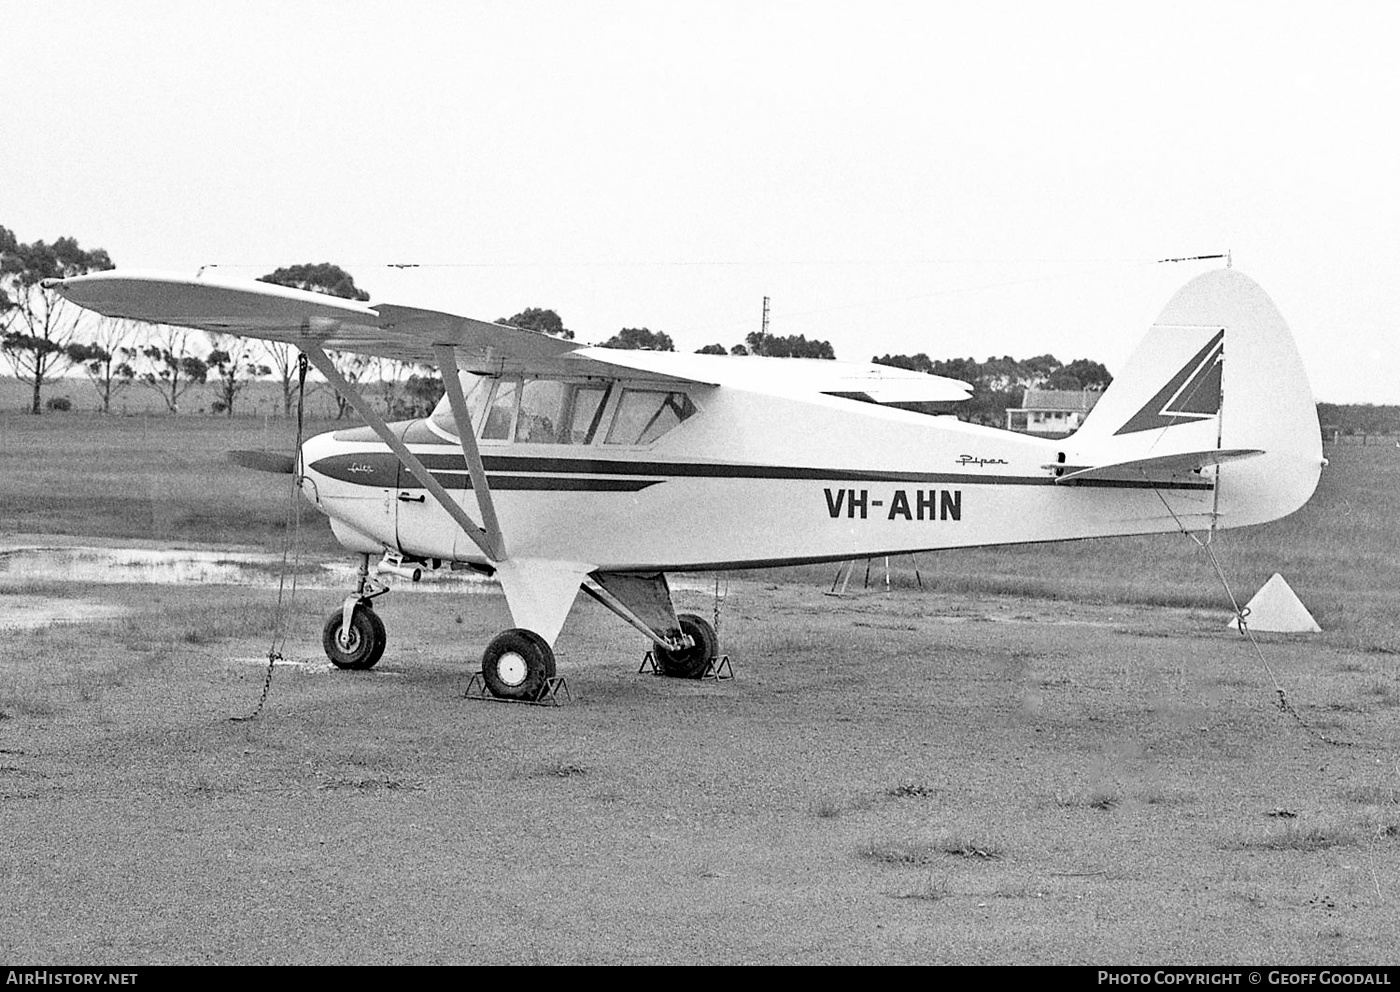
(185,567)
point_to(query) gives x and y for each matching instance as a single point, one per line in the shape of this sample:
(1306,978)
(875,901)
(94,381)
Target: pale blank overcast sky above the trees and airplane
(958,180)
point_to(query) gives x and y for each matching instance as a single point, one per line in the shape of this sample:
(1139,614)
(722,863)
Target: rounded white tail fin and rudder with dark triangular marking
(1217,383)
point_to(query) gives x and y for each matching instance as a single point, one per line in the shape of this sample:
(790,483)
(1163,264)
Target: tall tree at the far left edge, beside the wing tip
(37,324)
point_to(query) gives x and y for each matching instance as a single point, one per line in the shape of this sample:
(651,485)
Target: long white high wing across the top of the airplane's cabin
(311,320)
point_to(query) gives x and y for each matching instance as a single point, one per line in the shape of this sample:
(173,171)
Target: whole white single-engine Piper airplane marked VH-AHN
(559,468)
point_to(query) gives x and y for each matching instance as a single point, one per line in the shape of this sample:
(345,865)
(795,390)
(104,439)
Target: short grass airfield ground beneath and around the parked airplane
(1049,755)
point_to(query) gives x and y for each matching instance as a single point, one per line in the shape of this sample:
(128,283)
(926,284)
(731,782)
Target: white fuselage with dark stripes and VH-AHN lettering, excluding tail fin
(751,479)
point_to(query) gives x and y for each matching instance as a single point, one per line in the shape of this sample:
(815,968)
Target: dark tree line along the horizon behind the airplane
(45,338)
